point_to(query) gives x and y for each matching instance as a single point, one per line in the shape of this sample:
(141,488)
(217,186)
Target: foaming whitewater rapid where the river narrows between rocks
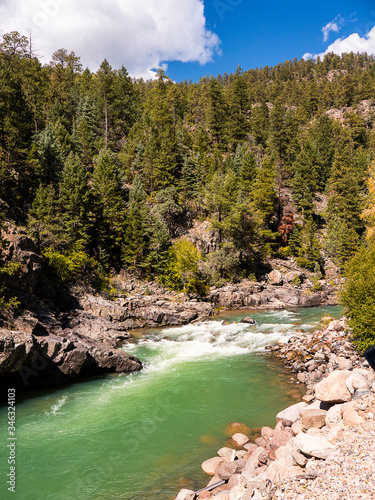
(168,348)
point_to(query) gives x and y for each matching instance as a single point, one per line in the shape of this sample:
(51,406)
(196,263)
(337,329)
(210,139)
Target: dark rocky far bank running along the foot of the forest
(72,332)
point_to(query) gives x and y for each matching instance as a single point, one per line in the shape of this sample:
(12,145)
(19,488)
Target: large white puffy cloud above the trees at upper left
(139,34)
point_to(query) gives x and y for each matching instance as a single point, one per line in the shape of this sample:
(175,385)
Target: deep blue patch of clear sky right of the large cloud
(255,34)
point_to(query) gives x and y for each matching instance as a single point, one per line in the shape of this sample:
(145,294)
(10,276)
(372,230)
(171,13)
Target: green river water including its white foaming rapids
(144,436)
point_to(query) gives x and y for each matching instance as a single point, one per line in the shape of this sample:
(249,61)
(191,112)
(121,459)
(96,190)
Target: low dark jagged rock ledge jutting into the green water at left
(27,361)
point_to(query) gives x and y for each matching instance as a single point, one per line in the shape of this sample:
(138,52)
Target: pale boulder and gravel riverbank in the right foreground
(310,453)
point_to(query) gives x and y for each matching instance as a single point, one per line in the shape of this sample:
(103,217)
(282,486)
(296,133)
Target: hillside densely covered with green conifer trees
(107,173)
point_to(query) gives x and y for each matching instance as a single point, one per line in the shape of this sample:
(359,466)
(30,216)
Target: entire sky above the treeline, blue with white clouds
(190,38)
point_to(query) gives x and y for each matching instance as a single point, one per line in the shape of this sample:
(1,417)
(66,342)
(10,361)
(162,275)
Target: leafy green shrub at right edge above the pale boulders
(358,296)
